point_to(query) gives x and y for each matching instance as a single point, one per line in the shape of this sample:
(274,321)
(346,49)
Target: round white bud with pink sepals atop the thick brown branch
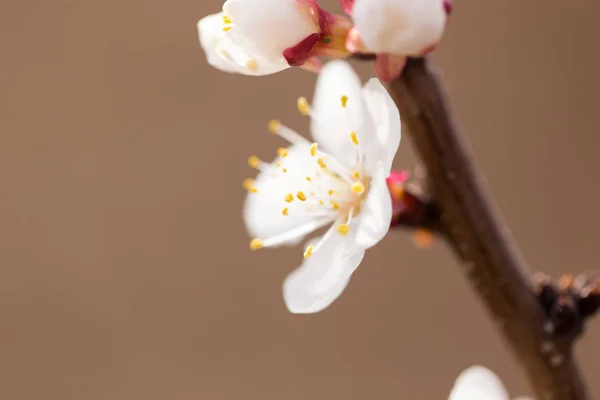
(395,30)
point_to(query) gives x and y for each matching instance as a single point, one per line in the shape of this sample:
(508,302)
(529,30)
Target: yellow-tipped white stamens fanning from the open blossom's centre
(333,194)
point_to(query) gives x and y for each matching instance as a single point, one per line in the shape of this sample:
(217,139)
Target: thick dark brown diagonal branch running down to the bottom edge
(487,253)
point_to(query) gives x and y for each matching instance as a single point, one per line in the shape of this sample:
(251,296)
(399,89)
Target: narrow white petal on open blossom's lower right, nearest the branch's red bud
(376,214)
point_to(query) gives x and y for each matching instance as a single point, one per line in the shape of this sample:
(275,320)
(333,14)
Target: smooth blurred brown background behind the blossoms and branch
(125,270)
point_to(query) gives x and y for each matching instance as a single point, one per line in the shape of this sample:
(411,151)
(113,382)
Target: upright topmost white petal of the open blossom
(332,124)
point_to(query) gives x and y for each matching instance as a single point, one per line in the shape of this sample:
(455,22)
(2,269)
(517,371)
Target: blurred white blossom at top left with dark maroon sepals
(260,37)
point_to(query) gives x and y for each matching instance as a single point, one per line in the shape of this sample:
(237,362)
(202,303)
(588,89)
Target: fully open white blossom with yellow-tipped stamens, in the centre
(338,180)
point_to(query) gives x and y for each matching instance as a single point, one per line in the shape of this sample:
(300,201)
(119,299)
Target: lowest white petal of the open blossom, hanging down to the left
(324,276)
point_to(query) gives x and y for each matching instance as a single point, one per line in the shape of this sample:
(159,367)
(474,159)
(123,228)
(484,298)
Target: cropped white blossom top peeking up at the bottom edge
(479,383)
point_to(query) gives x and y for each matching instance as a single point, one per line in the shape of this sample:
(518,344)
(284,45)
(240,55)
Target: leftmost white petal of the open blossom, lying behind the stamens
(263,210)
